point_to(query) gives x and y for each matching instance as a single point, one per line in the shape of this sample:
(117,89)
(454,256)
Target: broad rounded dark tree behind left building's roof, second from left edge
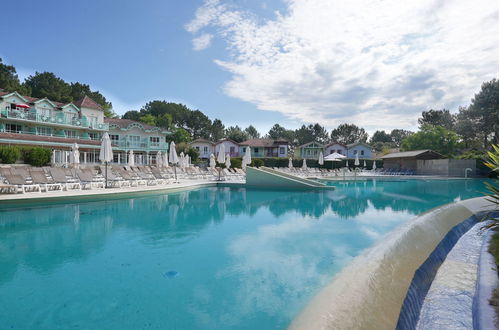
(47,84)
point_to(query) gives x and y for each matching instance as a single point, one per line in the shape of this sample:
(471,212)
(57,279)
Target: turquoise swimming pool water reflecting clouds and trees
(211,258)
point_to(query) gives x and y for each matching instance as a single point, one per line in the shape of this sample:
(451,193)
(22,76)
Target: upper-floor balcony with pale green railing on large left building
(31,115)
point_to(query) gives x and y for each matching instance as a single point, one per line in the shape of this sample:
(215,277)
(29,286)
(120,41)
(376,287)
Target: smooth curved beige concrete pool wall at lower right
(370,292)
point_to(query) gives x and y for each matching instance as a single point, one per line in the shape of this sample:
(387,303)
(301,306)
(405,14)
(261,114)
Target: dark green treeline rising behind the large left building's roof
(47,84)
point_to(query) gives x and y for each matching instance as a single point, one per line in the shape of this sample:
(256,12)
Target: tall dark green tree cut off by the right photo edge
(484,110)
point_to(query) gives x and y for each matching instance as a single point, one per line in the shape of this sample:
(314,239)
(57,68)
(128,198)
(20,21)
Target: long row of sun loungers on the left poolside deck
(22,179)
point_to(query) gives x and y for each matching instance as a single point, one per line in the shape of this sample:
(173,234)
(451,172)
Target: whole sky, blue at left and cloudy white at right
(377,64)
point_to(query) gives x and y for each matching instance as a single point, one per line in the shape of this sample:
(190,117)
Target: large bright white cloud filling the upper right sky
(374,63)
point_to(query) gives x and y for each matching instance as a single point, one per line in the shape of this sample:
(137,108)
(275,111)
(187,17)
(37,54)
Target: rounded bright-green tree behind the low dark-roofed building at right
(436,138)
